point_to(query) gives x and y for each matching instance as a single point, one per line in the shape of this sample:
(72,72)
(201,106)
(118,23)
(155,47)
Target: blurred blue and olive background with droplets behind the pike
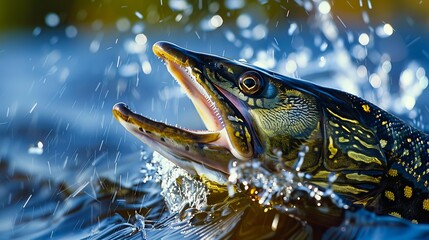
(64,64)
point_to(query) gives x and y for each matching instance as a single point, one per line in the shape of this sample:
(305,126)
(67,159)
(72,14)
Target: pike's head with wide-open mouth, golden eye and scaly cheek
(249,113)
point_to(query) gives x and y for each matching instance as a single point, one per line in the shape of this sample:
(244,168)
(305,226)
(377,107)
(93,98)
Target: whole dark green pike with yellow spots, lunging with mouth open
(379,161)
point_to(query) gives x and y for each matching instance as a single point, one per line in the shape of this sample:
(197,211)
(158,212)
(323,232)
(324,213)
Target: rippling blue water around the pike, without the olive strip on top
(69,170)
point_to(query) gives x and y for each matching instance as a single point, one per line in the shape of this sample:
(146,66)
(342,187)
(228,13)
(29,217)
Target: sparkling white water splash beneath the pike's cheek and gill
(286,190)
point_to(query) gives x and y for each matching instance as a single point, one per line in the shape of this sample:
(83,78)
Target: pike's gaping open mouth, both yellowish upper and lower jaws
(227,136)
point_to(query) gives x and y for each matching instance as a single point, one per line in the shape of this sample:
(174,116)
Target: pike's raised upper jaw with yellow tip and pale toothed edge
(216,109)
